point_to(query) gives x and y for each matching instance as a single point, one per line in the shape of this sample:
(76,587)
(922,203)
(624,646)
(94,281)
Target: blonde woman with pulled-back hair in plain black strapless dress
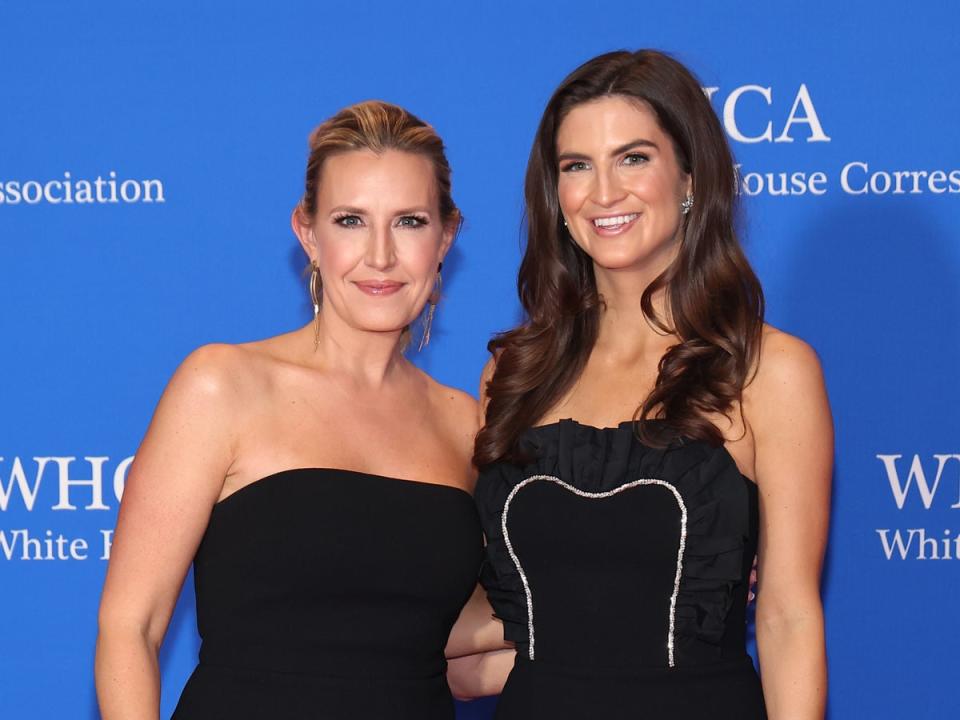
(318,480)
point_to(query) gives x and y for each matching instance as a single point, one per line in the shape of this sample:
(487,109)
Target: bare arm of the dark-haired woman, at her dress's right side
(790,415)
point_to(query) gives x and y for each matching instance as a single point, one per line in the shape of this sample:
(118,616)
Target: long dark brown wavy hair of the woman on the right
(714,300)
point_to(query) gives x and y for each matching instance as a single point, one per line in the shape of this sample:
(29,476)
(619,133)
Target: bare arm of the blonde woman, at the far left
(173,483)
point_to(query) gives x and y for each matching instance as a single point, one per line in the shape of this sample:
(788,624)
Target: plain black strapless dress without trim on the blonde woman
(330,594)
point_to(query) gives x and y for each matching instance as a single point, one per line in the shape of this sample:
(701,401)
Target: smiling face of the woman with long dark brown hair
(620,185)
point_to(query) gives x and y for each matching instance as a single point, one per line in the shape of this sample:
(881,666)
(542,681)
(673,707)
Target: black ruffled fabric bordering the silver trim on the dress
(721,520)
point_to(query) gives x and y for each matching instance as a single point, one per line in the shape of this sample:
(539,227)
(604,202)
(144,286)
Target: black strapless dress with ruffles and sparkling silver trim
(621,573)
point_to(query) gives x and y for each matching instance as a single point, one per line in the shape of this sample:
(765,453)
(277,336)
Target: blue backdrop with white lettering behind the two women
(150,155)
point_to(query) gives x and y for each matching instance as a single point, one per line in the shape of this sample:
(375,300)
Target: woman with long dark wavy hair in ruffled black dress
(646,434)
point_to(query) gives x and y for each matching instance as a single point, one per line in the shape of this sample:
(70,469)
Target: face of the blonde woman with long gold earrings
(377,237)
